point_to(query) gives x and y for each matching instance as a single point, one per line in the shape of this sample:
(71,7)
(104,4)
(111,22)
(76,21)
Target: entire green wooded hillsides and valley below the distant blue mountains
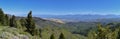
(12,27)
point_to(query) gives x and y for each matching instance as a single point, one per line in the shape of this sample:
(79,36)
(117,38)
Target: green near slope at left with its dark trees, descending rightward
(26,28)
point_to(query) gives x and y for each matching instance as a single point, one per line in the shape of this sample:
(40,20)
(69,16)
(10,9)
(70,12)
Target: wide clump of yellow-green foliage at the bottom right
(103,33)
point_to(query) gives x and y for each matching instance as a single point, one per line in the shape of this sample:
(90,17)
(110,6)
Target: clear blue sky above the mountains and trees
(60,7)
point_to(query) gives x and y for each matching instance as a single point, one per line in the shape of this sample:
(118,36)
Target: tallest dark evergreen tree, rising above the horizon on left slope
(30,23)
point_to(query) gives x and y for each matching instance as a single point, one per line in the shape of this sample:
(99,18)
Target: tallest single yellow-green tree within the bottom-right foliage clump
(103,32)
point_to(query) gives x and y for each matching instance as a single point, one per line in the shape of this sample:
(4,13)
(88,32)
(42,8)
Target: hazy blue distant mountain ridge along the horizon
(76,18)
